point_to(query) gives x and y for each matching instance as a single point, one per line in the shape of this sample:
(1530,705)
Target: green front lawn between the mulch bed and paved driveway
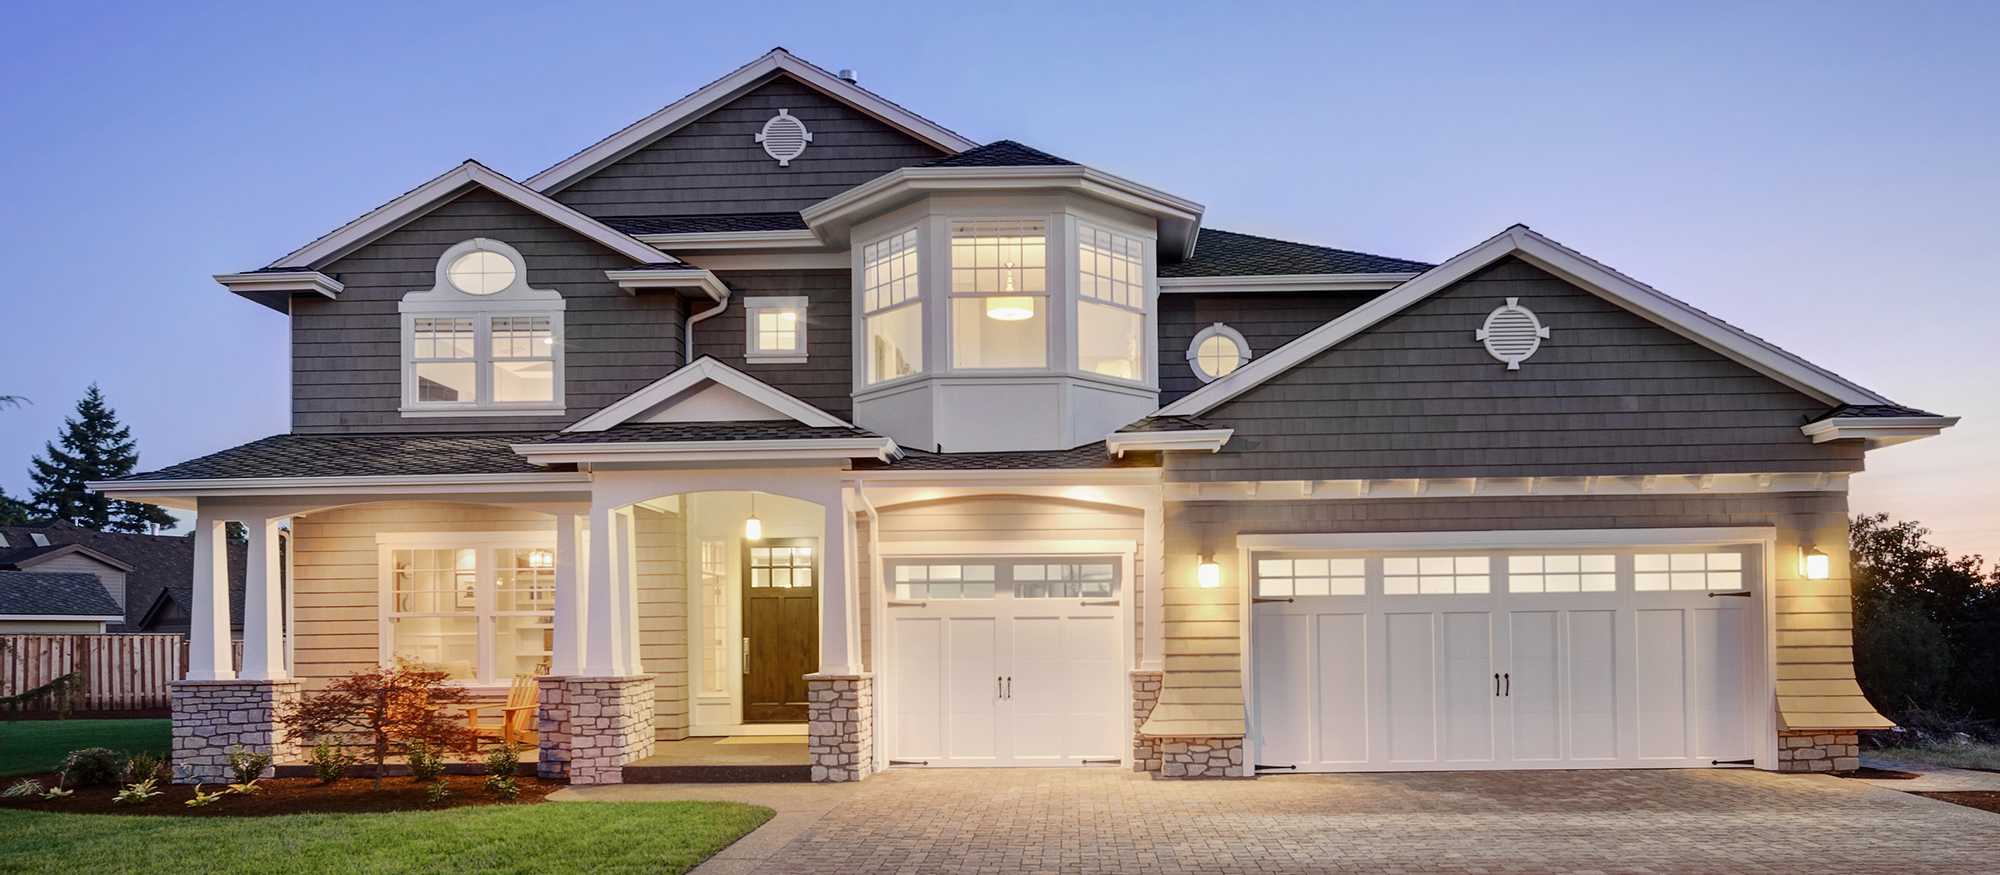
(551,838)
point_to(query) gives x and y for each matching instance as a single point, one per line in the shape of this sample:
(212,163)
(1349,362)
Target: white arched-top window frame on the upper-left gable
(447,303)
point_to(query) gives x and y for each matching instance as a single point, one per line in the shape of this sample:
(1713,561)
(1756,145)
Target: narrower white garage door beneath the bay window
(1005,662)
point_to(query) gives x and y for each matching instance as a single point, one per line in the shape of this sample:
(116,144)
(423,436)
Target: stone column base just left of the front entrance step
(589,728)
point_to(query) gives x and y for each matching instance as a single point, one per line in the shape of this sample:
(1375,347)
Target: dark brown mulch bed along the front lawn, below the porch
(289,796)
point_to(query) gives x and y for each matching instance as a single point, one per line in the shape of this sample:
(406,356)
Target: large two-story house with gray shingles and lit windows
(791,413)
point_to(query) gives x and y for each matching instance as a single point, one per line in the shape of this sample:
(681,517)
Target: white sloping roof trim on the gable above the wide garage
(1569,265)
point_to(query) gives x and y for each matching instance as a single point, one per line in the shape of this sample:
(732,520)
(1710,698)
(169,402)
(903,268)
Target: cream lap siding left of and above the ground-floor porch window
(337,574)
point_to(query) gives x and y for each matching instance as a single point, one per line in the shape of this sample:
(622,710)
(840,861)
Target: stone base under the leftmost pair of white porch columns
(211,718)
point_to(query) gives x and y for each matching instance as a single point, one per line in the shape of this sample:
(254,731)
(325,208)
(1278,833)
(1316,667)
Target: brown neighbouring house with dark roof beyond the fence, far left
(149,578)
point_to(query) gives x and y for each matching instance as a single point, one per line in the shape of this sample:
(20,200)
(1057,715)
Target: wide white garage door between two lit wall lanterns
(1505,658)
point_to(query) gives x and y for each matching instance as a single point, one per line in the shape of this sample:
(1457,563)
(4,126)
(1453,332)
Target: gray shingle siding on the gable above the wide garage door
(1607,395)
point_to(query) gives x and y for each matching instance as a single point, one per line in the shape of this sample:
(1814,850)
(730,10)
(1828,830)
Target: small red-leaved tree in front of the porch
(391,706)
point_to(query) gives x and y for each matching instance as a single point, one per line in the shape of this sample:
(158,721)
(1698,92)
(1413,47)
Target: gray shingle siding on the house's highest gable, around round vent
(717,167)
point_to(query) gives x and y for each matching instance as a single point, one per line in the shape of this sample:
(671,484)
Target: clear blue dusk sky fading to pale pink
(1821,175)
